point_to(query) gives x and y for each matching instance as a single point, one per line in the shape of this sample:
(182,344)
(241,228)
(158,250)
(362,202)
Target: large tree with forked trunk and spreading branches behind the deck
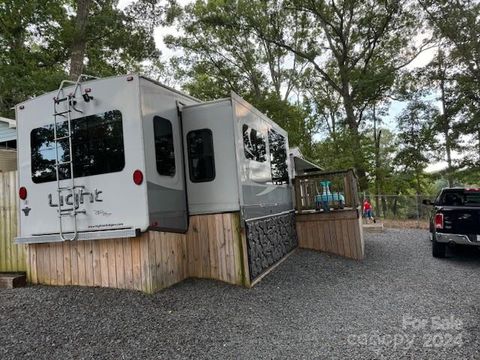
(366,43)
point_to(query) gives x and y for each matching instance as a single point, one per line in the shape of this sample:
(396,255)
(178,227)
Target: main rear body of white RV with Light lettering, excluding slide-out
(127,152)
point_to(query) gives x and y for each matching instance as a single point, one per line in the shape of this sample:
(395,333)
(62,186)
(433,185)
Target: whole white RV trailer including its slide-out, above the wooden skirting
(138,149)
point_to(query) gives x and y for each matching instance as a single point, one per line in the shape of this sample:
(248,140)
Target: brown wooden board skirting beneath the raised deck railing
(336,232)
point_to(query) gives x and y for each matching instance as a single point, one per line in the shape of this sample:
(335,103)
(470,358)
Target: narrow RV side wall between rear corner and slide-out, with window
(165,175)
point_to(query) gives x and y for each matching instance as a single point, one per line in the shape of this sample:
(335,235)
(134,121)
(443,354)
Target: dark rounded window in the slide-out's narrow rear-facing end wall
(201,161)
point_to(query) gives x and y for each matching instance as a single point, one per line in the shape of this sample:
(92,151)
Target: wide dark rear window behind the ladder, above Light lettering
(97,147)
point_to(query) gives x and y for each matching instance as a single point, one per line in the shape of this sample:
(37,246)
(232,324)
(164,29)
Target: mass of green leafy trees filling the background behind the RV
(325,71)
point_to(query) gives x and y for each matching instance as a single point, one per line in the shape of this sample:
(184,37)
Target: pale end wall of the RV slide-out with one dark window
(212,181)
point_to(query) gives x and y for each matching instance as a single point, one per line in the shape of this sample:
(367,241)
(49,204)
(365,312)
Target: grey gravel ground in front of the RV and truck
(312,306)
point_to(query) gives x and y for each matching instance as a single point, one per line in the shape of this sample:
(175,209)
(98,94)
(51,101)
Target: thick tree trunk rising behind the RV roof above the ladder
(79,43)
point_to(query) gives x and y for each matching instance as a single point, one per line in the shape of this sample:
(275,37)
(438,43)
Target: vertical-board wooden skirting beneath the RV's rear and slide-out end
(212,248)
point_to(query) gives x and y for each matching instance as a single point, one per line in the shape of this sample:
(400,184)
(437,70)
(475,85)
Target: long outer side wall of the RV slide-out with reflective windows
(262,191)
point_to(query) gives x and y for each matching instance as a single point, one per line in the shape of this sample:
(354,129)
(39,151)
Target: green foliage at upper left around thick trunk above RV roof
(36,38)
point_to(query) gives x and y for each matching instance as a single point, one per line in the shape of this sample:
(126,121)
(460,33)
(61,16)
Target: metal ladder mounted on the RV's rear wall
(66,115)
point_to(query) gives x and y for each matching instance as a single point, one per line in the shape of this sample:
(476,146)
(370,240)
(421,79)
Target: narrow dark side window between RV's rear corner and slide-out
(164,150)
